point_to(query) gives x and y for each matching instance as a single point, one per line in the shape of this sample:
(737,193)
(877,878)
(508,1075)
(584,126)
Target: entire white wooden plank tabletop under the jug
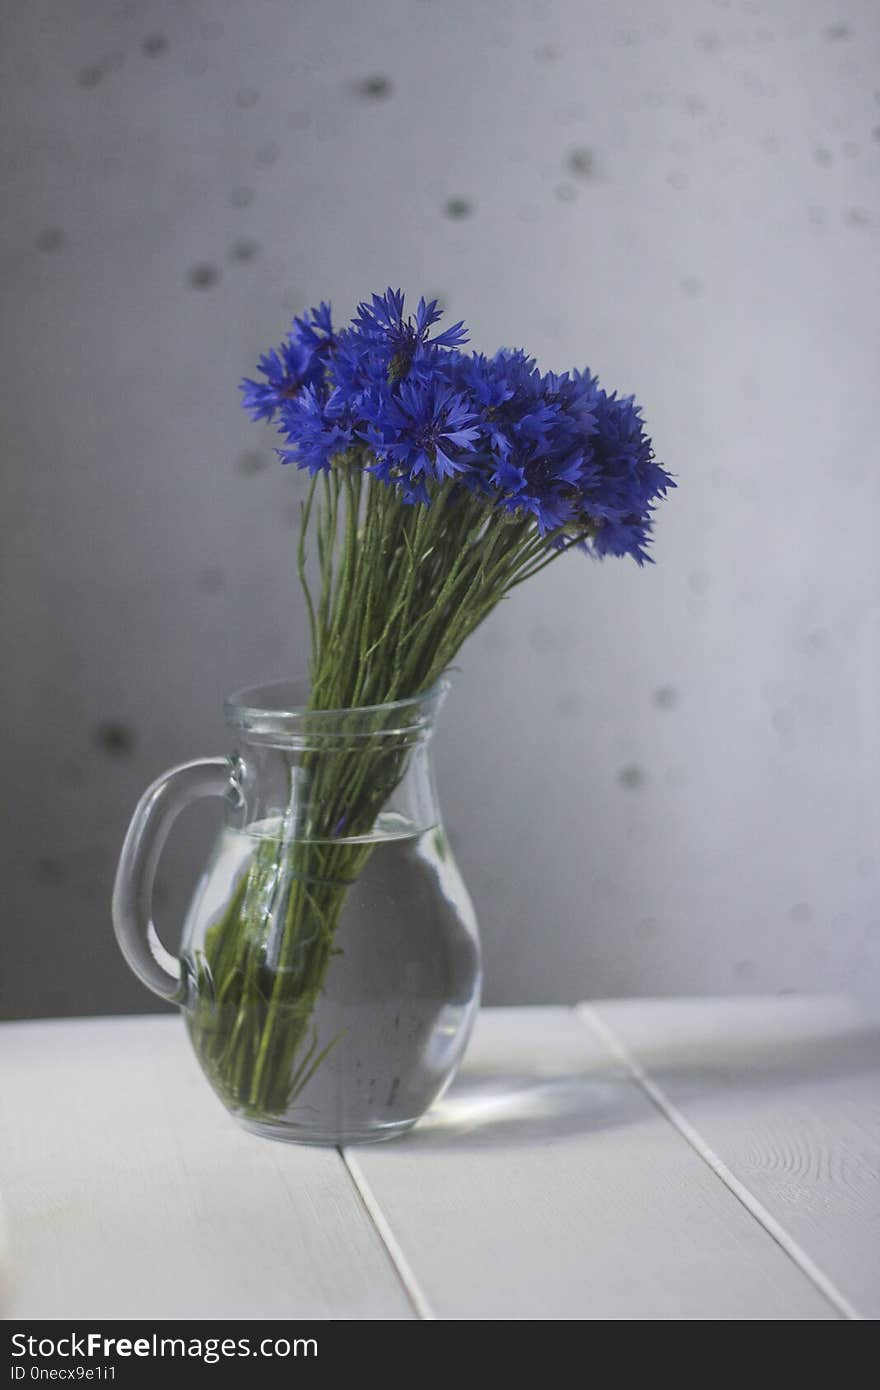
(647,1160)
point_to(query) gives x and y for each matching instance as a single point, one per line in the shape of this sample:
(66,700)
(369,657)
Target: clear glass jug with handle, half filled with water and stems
(330,965)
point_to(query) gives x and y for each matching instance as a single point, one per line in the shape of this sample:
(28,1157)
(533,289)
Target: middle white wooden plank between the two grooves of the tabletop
(547,1185)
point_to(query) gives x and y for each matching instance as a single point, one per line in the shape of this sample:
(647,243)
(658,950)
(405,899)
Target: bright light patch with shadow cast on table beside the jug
(498,1110)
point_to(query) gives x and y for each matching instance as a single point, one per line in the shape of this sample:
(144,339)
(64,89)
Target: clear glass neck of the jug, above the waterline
(333,775)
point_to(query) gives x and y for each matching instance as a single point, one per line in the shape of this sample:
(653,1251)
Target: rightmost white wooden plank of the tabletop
(785,1096)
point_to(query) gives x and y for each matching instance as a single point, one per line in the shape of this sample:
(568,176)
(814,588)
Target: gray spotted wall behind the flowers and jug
(657,782)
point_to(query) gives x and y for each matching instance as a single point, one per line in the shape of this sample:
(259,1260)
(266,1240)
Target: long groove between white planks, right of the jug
(658,1097)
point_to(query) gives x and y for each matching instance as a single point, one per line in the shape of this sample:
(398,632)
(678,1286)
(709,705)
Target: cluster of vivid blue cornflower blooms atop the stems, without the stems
(415,411)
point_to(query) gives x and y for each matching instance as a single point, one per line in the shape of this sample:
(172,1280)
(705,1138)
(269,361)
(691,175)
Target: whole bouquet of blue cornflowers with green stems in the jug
(440,482)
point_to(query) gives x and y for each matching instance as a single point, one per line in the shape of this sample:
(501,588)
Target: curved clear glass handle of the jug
(133,893)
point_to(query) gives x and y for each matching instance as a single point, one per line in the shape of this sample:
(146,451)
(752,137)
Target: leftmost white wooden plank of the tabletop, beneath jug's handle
(130,1193)
